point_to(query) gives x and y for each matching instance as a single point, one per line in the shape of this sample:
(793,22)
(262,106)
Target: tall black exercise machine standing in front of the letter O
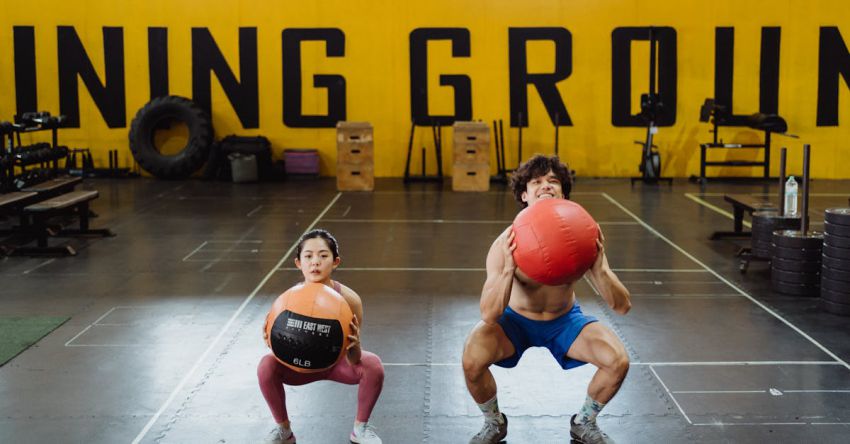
(650,105)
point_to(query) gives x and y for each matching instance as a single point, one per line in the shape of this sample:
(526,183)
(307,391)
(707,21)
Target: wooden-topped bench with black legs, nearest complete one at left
(41,212)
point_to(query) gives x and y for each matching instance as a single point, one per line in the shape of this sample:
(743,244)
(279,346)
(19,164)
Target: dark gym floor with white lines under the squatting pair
(164,332)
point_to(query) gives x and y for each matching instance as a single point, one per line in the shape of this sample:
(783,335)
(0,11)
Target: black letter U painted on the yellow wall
(768,73)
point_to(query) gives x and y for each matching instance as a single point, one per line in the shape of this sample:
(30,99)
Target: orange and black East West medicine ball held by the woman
(308,327)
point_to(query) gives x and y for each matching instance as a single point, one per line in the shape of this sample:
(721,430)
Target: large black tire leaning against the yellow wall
(191,157)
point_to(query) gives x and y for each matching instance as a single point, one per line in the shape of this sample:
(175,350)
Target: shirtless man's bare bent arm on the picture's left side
(500,277)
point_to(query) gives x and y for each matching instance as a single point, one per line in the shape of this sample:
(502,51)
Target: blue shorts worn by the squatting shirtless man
(557,335)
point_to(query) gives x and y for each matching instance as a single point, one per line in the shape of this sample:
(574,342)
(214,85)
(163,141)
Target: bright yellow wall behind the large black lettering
(376,68)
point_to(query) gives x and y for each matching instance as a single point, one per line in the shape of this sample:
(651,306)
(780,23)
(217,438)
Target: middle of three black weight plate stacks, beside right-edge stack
(796,262)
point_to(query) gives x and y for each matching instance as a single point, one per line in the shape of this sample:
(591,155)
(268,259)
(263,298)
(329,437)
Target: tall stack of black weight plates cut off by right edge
(835,273)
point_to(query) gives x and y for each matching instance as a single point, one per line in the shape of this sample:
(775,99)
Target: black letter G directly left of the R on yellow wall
(461,84)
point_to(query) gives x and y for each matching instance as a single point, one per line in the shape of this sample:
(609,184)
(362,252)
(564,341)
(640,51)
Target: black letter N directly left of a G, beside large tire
(243,94)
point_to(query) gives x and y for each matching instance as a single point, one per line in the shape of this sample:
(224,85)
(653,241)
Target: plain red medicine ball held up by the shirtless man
(555,241)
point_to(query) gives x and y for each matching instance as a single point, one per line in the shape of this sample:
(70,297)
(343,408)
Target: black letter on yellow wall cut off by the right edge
(833,60)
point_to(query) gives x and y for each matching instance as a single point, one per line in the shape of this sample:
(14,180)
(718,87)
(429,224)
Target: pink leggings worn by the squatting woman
(368,374)
